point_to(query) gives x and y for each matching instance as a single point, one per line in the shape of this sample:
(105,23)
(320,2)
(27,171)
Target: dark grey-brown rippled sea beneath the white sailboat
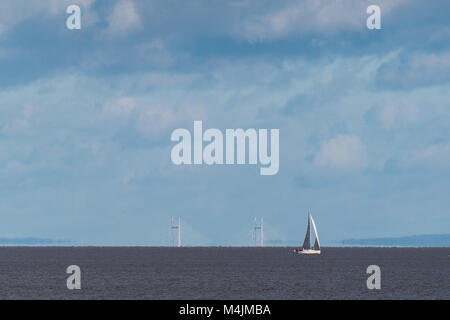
(223,273)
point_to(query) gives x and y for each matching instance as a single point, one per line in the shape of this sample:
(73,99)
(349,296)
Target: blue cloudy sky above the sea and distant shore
(86,118)
